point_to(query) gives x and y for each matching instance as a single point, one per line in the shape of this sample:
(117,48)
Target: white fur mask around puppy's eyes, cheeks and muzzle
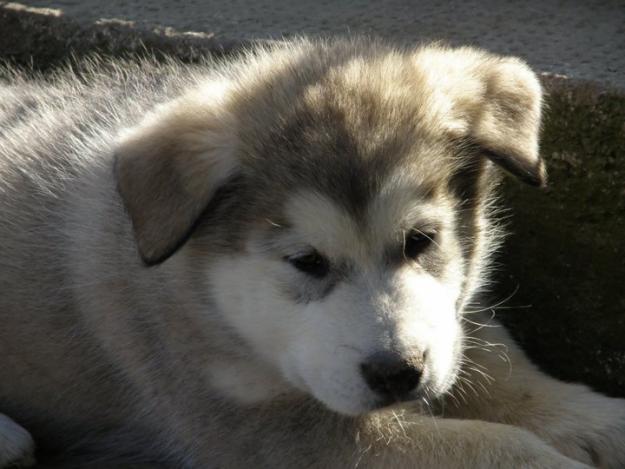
(319,345)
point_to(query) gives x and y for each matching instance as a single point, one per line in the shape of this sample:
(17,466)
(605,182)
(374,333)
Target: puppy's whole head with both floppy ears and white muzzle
(355,181)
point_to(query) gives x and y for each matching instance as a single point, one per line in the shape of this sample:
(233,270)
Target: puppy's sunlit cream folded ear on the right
(496,104)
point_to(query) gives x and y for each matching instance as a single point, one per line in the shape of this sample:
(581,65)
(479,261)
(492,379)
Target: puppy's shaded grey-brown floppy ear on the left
(169,167)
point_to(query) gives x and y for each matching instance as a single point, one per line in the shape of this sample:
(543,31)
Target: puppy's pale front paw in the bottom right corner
(592,431)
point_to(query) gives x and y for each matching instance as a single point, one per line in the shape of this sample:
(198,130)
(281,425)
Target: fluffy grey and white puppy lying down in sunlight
(271,264)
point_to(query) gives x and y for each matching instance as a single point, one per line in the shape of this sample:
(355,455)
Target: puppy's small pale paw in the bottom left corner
(16,445)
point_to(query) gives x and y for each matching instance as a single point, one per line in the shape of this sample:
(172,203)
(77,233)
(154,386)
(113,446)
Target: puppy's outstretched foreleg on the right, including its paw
(499,384)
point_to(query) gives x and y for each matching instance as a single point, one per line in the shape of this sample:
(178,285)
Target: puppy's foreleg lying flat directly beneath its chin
(309,435)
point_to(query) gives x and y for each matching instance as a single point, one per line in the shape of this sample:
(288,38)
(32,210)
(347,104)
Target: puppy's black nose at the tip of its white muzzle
(392,376)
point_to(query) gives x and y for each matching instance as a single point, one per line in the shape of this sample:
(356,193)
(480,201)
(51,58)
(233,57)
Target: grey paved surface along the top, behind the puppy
(577,38)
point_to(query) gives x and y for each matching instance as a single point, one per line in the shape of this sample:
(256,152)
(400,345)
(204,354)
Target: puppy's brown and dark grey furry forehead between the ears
(347,133)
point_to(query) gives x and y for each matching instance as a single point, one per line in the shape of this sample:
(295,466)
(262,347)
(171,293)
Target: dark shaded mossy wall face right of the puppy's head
(567,251)
